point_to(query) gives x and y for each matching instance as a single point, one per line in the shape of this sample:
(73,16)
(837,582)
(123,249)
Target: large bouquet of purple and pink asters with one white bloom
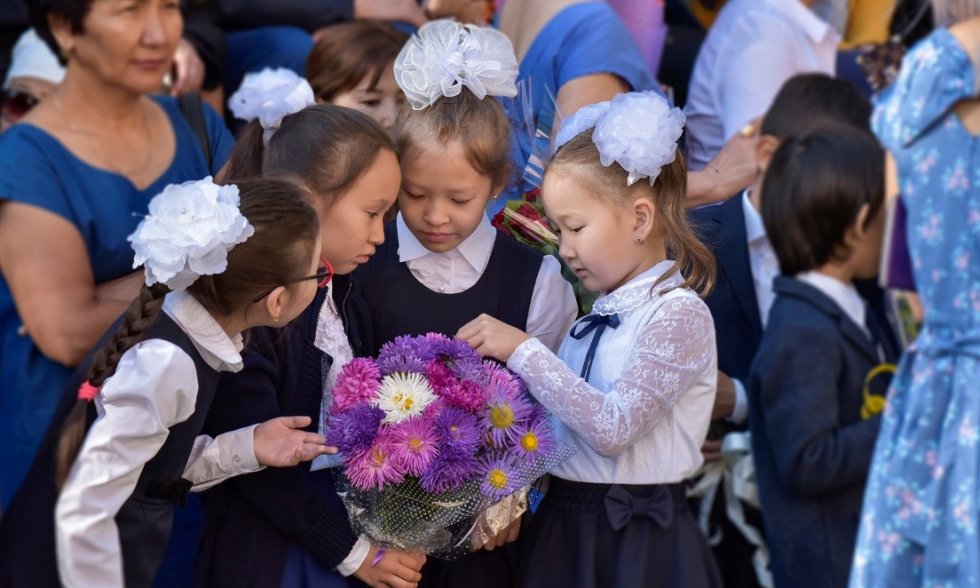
(438,445)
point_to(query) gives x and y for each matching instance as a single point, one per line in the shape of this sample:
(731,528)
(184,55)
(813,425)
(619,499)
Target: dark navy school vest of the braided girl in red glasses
(27,531)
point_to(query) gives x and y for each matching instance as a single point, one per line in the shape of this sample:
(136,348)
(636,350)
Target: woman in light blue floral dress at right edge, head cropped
(919,525)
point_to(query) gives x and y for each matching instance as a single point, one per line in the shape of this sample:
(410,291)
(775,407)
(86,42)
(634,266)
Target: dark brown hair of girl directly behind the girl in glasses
(325,147)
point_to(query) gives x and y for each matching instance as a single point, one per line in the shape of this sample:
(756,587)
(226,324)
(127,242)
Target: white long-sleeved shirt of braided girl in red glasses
(154,388)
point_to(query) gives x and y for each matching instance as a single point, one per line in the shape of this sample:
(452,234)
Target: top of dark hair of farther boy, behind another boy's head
(809,101)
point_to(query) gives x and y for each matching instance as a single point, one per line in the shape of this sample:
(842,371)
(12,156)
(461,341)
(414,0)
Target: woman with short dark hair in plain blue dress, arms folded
(76,176)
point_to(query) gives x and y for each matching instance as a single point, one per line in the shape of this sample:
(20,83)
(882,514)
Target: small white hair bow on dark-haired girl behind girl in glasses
(270,95)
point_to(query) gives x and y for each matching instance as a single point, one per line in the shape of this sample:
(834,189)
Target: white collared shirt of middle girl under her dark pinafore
(553,308)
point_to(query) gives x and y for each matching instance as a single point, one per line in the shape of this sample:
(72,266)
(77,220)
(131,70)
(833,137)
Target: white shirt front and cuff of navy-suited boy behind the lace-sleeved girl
(764,267)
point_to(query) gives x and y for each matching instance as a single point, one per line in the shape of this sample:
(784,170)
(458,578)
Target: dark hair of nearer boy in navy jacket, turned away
(813,191)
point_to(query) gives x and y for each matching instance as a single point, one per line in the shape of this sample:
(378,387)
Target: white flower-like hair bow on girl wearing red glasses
(188,233)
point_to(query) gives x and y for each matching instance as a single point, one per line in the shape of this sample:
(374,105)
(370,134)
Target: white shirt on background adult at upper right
(751,50)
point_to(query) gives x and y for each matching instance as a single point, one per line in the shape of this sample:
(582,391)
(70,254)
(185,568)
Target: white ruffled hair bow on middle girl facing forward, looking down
(444,56)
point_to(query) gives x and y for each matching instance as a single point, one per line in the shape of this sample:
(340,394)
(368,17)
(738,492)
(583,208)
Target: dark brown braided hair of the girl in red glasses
(286,231)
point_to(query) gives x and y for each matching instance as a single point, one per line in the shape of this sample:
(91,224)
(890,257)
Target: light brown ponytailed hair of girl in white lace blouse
(668,194)
